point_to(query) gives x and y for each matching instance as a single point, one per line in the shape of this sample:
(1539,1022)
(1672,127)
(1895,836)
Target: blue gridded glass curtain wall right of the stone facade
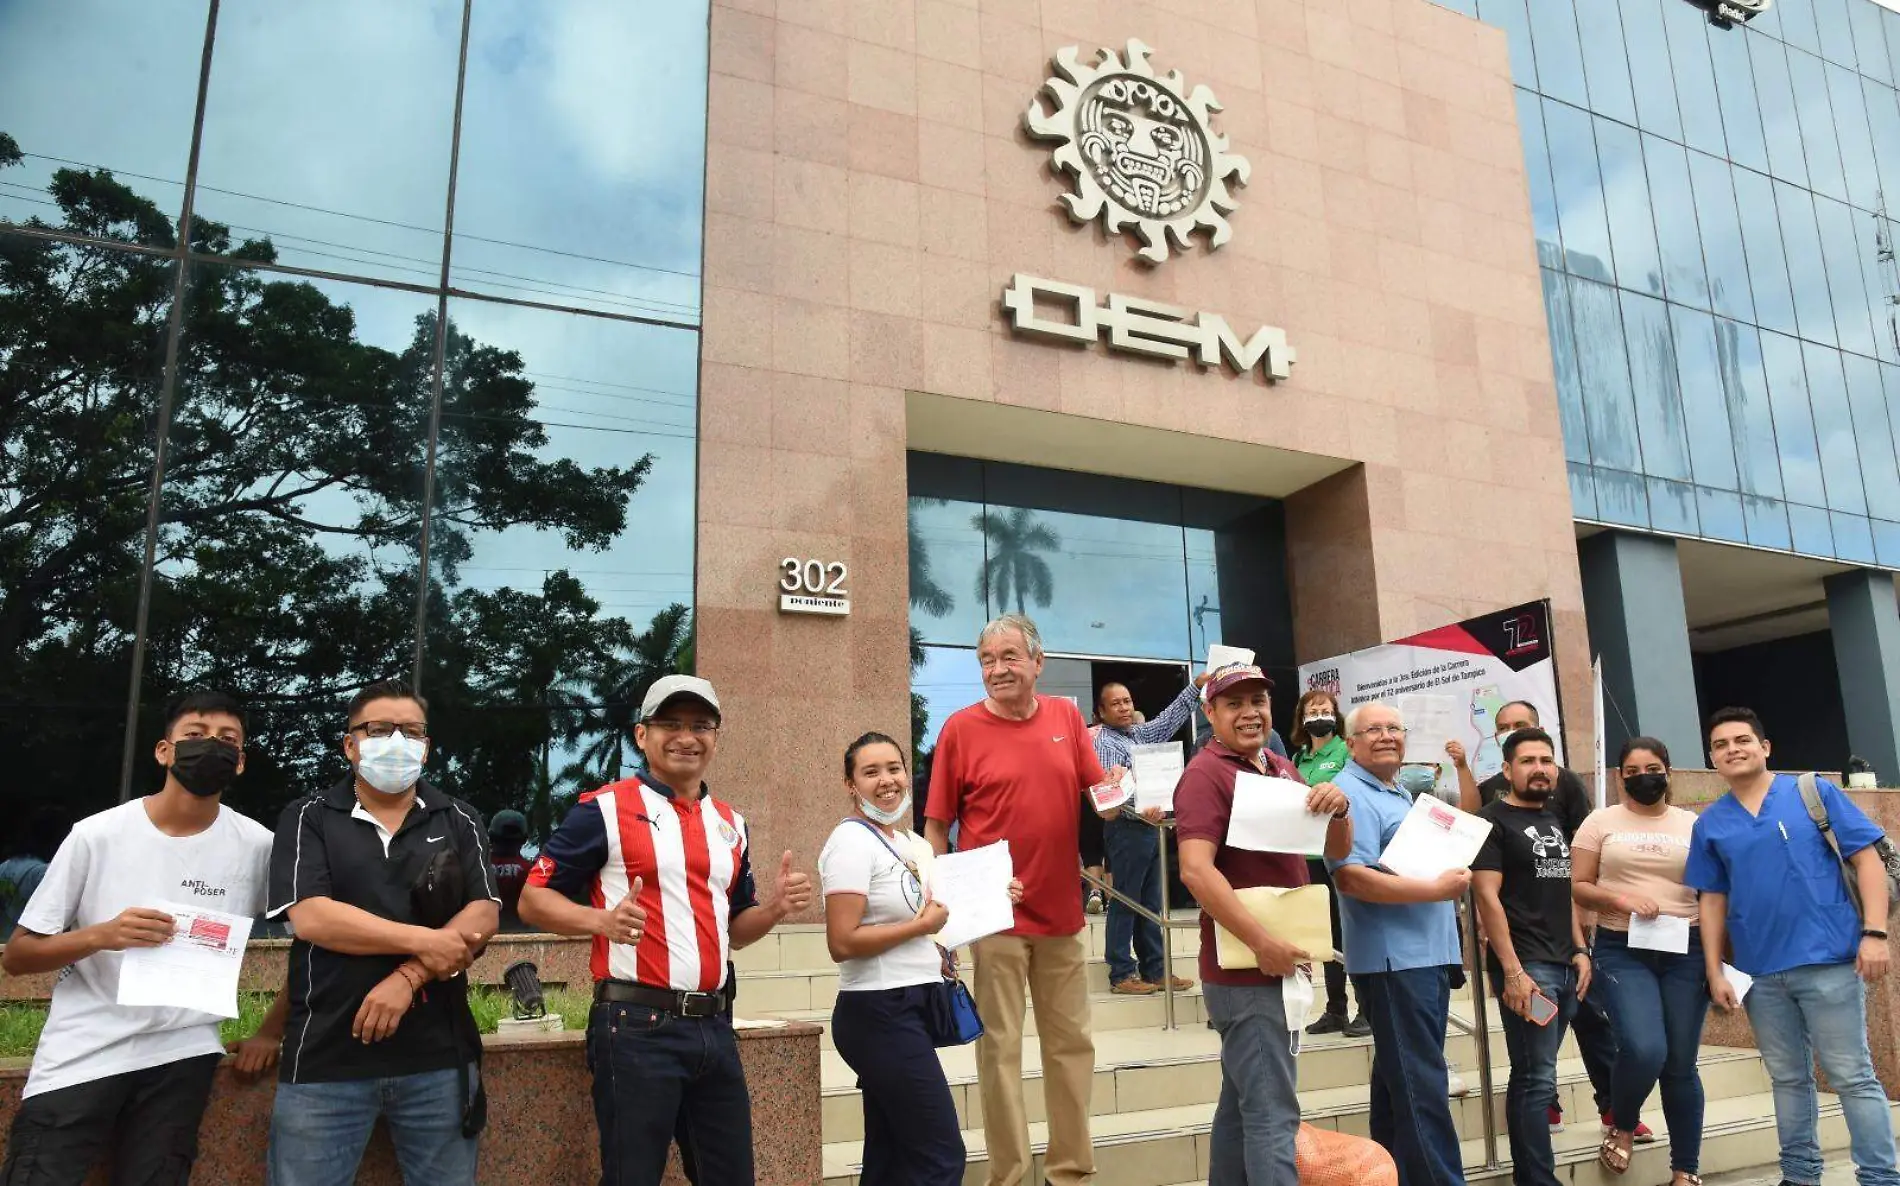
(1719,263)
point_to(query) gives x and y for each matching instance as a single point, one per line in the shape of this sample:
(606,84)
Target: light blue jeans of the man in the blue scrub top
(1802,1014)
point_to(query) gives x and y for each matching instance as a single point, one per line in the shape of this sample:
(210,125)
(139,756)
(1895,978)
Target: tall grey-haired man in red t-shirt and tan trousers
(1017,767)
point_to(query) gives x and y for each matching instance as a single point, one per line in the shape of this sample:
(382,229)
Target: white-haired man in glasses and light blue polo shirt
(1401,949)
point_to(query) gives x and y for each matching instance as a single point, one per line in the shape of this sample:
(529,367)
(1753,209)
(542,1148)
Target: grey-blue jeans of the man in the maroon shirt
(1259,1111)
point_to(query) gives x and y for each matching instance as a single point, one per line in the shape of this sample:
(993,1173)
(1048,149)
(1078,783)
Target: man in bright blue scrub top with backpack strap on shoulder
(1772,885)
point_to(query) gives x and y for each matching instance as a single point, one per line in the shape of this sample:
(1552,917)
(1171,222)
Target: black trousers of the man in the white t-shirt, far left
(143,1124)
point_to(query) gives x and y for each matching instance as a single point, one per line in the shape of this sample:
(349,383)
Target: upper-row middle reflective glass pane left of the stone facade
(288,155)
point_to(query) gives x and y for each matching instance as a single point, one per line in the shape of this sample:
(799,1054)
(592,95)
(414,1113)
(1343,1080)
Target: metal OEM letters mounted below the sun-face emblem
(1139,326)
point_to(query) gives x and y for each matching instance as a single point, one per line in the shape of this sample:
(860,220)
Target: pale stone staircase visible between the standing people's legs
(1154,1088)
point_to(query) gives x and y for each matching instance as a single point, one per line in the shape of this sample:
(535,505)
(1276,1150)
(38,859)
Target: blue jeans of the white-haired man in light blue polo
(1411,1115)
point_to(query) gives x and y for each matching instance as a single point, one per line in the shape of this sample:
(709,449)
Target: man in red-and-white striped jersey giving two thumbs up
(660,875)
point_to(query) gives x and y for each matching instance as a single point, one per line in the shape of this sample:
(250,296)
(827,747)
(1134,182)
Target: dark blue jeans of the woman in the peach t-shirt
(1658,1003)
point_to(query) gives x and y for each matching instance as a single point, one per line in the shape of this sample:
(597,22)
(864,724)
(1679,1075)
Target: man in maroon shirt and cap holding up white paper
(1259,1111)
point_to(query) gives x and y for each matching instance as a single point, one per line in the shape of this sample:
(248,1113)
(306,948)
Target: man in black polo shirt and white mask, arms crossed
(390,894)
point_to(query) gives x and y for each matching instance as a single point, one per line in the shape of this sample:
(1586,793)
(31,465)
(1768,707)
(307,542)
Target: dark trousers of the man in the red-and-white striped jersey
(658,1079)
